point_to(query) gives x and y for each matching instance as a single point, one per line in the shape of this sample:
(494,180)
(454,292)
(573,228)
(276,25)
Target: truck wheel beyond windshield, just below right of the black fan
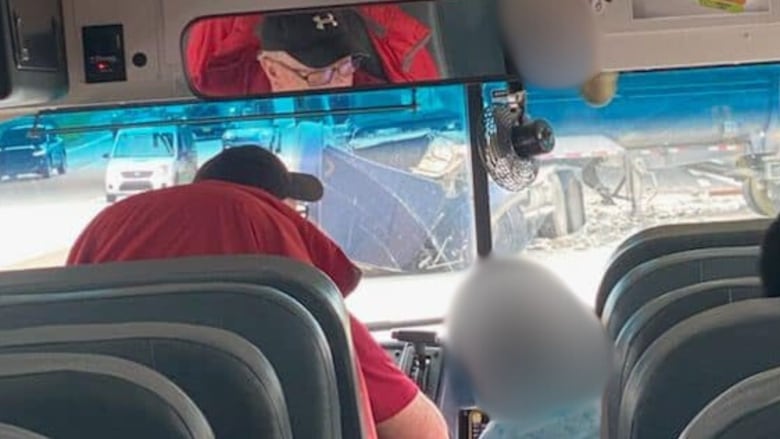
(568,214)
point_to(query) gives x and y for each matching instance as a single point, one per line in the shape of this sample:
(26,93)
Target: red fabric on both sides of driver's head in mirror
(222,52)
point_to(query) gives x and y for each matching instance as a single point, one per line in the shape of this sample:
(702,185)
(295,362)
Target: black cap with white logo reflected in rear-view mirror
(316,39)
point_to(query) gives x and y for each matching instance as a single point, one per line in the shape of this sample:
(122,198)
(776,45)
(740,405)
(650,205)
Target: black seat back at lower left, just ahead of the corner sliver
(70,396)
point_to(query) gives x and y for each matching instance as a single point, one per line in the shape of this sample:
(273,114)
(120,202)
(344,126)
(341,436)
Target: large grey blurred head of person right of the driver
(530,348)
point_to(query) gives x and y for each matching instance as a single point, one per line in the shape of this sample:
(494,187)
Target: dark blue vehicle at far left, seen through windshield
(26,151)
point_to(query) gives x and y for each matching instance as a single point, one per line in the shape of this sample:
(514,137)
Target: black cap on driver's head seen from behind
(258,167)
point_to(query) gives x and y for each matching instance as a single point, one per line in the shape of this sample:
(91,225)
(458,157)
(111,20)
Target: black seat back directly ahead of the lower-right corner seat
(694,362)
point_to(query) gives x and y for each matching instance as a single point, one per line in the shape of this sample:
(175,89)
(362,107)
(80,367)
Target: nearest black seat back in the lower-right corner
(748,409)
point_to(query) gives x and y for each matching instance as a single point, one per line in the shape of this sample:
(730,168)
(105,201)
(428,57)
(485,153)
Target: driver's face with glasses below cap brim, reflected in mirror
(287,74)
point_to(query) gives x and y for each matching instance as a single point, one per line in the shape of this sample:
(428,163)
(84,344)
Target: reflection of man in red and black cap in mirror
(254,54)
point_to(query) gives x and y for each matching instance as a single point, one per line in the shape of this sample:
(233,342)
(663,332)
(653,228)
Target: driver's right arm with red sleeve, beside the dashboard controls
(400,409)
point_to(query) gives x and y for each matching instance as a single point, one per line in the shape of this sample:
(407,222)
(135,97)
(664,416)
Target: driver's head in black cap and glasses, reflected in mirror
(305,51)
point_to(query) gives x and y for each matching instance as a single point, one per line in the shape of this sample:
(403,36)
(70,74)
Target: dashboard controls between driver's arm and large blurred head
(422,358)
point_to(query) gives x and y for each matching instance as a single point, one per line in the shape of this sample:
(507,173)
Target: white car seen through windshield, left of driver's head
(143,159)
